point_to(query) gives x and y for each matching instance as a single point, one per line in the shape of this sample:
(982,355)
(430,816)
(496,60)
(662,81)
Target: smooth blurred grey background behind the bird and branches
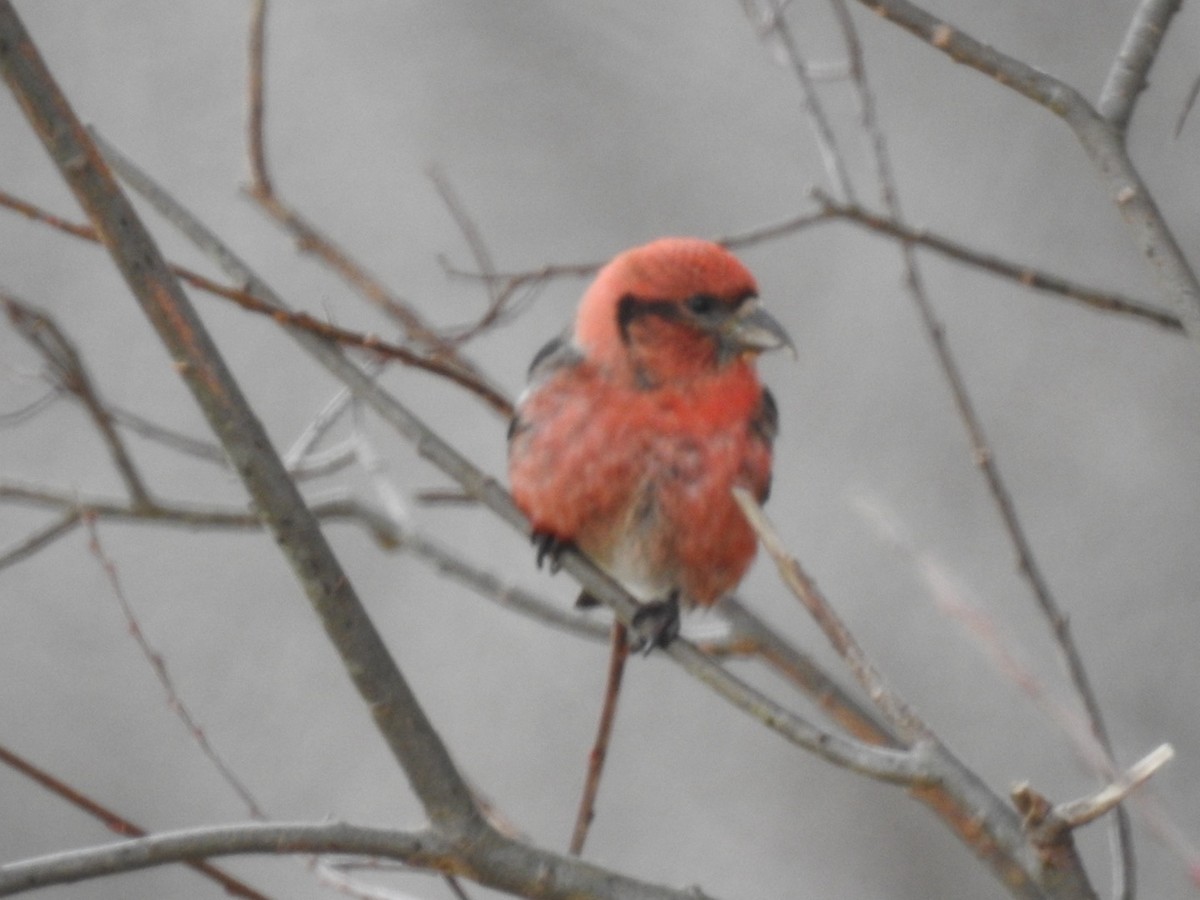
(572,131)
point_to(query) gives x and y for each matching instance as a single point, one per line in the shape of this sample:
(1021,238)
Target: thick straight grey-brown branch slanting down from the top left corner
(395,709)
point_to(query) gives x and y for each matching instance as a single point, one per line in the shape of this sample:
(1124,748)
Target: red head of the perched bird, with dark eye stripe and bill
(675,309)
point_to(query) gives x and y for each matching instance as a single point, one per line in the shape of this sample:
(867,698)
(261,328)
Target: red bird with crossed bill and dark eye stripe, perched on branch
(634,431)
